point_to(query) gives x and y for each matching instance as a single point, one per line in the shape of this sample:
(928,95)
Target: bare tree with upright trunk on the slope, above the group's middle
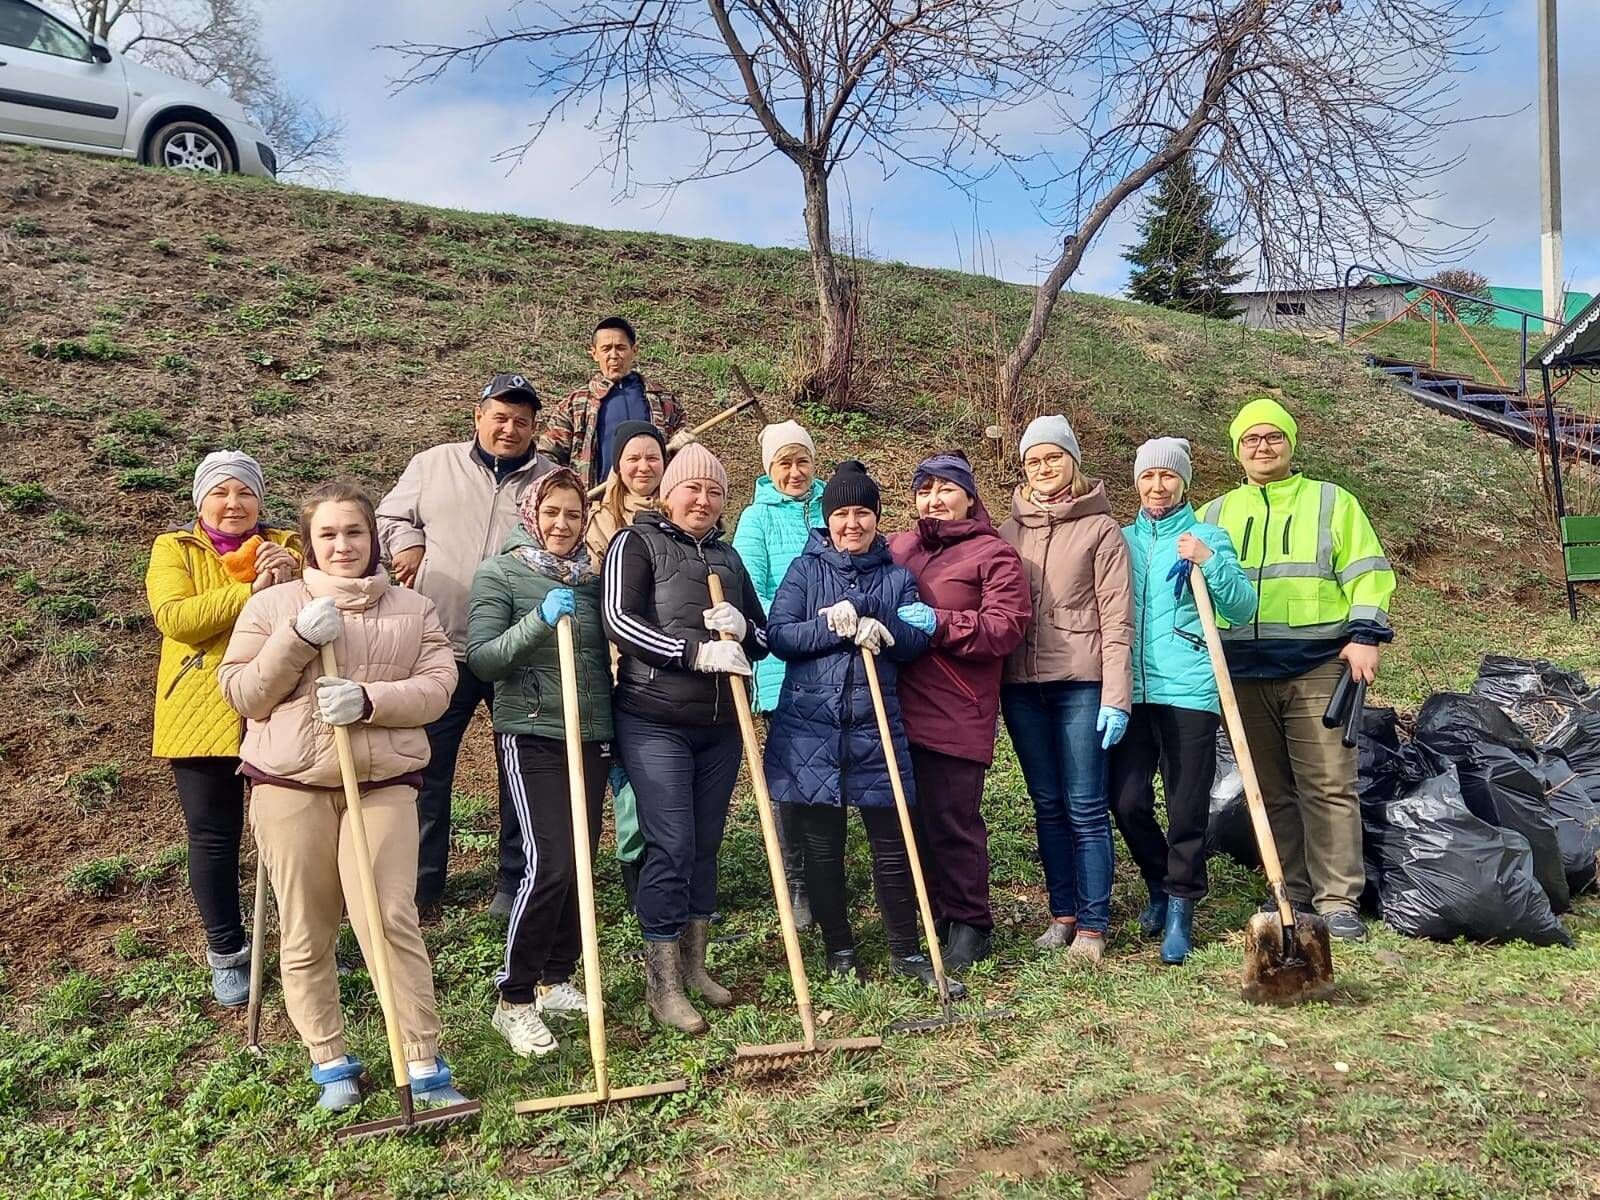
(903,82)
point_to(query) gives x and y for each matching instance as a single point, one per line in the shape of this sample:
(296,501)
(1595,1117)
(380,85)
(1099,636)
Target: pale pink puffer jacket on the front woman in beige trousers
(393,646)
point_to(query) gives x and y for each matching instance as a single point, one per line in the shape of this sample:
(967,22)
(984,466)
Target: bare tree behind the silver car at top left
(217,44)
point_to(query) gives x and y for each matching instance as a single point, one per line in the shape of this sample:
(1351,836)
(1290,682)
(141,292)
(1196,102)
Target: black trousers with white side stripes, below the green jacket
(543,938)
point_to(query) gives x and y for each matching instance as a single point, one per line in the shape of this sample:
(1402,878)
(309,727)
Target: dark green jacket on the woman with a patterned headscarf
(511,647)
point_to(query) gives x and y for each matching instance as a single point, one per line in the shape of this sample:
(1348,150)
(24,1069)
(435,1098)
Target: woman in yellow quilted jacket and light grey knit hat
(199,582)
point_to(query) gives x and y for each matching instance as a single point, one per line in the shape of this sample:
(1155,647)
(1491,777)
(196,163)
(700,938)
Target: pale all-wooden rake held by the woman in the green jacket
(583,855)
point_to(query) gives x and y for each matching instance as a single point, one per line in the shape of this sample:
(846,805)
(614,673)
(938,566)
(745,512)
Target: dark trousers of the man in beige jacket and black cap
(439,782)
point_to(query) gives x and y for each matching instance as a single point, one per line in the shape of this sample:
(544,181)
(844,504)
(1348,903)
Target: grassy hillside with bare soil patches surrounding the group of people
(146,319)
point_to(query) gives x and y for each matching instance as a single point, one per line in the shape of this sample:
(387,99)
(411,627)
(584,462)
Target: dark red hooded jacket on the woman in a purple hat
(978,590)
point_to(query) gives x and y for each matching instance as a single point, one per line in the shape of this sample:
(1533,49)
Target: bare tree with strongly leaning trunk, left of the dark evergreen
(1316,122)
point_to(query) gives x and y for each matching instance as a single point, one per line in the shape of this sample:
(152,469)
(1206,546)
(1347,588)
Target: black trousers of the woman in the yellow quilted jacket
(212,793)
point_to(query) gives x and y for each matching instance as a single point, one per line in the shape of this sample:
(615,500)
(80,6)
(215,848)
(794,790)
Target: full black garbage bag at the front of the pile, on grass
(1446,874)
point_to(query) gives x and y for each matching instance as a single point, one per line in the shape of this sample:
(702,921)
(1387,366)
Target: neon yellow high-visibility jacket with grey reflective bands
(1316,562)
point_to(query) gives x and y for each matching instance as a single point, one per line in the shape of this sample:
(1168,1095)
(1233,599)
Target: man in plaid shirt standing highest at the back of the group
(580,428)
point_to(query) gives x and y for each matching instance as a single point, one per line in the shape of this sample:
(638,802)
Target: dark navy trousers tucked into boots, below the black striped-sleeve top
(682,780)
